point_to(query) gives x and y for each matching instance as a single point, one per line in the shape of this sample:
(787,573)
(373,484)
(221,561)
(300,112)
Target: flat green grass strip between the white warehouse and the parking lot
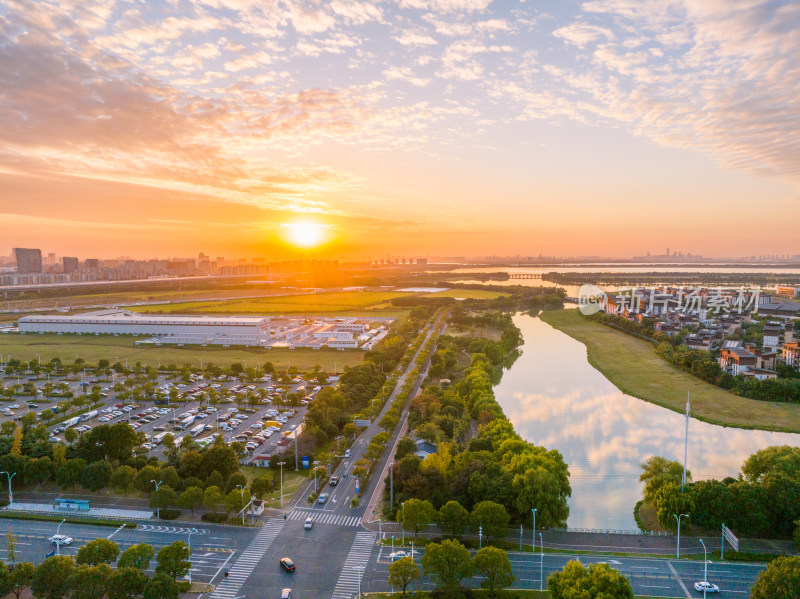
(92,348)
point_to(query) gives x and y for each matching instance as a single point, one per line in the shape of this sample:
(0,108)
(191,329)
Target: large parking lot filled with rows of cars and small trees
(252,412)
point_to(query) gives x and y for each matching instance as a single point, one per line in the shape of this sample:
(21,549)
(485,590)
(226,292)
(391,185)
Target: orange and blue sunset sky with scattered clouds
(400,127)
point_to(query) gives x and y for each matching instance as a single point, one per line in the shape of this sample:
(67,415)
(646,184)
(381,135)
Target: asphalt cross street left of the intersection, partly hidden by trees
(212,546)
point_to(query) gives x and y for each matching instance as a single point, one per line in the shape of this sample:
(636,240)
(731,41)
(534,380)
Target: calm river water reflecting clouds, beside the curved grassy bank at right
(555,398)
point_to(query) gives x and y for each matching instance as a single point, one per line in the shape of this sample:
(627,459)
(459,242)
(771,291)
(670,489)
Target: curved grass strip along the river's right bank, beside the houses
(634,368)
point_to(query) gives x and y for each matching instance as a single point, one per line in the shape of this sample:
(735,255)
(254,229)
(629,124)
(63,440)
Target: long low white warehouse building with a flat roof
(215,330)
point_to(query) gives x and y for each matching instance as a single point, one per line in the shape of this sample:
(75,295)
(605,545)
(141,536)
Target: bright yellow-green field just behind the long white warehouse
(345,301)
